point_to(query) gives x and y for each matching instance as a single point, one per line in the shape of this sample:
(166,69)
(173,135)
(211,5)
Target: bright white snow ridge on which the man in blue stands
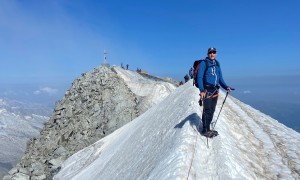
(164,143)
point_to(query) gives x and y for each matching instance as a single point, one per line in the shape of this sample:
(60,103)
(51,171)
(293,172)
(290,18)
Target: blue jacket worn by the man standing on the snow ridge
(213,75)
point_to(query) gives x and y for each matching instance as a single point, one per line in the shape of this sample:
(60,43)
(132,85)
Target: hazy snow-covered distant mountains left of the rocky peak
(18,123)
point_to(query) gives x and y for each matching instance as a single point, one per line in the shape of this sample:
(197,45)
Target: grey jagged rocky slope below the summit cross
(97,103)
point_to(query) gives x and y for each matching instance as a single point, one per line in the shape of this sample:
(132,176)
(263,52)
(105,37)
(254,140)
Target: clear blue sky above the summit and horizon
(54,41)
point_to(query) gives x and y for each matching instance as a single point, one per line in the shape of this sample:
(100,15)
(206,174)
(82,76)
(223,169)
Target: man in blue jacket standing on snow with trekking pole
(209,78)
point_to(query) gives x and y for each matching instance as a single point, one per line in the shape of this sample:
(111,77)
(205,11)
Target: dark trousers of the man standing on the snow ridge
(209,106)
